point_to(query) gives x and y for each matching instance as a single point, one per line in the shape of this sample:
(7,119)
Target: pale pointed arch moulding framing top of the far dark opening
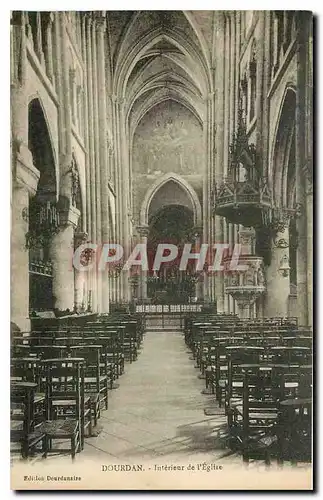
(171,176)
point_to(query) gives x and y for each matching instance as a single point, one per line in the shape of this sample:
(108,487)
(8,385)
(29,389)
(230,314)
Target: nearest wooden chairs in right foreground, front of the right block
(263,411)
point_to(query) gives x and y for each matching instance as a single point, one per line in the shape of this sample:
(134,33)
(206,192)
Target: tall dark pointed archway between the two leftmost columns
(43,218)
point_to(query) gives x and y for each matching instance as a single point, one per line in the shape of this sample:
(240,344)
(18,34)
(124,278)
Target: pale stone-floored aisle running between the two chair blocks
(157,412)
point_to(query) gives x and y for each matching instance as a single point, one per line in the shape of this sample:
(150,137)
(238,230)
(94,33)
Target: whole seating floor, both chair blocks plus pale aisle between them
(119,391)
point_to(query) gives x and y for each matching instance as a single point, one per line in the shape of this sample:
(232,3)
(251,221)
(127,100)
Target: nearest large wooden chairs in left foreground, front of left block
(63,411)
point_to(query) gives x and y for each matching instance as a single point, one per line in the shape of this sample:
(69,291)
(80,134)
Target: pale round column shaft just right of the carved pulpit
(278,285)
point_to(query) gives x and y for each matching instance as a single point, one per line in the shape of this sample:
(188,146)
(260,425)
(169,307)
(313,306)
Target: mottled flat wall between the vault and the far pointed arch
(169,138)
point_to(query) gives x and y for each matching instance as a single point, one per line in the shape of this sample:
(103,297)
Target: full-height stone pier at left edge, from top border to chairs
(24,176)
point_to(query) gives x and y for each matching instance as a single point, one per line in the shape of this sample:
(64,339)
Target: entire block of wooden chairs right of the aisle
(260,373)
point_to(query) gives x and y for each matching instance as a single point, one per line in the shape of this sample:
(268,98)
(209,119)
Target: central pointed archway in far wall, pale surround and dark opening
(171,211)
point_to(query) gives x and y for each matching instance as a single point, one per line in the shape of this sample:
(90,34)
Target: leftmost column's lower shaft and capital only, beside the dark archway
(25,179)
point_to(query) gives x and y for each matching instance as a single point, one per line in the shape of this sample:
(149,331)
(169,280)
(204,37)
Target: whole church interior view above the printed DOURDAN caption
(176,128)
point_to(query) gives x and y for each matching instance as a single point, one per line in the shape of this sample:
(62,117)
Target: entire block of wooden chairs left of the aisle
(61,378)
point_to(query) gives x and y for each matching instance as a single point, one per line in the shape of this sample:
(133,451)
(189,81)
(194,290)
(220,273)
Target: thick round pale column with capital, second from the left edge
(62,249)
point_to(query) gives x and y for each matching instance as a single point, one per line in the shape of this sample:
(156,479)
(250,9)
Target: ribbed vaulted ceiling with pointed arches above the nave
(160,55)
